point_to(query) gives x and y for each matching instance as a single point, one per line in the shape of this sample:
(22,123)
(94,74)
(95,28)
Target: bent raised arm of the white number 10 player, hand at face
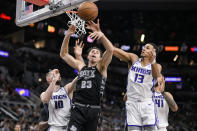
(46,96)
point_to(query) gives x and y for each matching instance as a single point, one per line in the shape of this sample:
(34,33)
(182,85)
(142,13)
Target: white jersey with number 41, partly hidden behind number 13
(162,110)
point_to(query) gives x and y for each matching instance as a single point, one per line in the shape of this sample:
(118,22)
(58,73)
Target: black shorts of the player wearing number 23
(83,118)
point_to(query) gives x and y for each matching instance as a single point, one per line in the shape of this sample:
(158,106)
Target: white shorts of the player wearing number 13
(141,113)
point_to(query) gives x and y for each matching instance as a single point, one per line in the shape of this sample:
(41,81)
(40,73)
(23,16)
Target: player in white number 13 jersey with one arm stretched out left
(142,72)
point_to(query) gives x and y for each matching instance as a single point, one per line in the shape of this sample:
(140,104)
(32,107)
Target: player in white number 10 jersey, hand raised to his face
(59,101)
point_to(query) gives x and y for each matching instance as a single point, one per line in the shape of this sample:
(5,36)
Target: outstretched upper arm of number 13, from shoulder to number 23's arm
(130,58)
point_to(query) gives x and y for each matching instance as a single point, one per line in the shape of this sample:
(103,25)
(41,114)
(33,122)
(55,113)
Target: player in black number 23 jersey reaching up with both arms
(91,80)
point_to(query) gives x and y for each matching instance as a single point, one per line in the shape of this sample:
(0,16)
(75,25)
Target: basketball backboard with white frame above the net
(28,13)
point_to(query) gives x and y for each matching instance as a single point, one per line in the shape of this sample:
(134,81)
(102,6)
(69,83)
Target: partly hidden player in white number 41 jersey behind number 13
(163,100)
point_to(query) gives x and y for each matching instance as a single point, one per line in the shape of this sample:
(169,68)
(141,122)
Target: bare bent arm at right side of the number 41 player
(169,99)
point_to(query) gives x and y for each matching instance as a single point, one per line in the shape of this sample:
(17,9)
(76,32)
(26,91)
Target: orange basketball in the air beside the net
(88,11)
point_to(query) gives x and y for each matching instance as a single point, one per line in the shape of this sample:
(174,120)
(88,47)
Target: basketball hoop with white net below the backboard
(77,22)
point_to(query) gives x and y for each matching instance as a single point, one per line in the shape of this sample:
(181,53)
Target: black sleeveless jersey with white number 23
(89,87)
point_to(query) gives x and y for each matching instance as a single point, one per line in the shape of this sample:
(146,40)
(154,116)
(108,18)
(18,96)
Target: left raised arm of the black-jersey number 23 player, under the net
(64,52)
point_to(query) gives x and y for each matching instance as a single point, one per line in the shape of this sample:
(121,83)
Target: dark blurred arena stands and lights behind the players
(27,53)
